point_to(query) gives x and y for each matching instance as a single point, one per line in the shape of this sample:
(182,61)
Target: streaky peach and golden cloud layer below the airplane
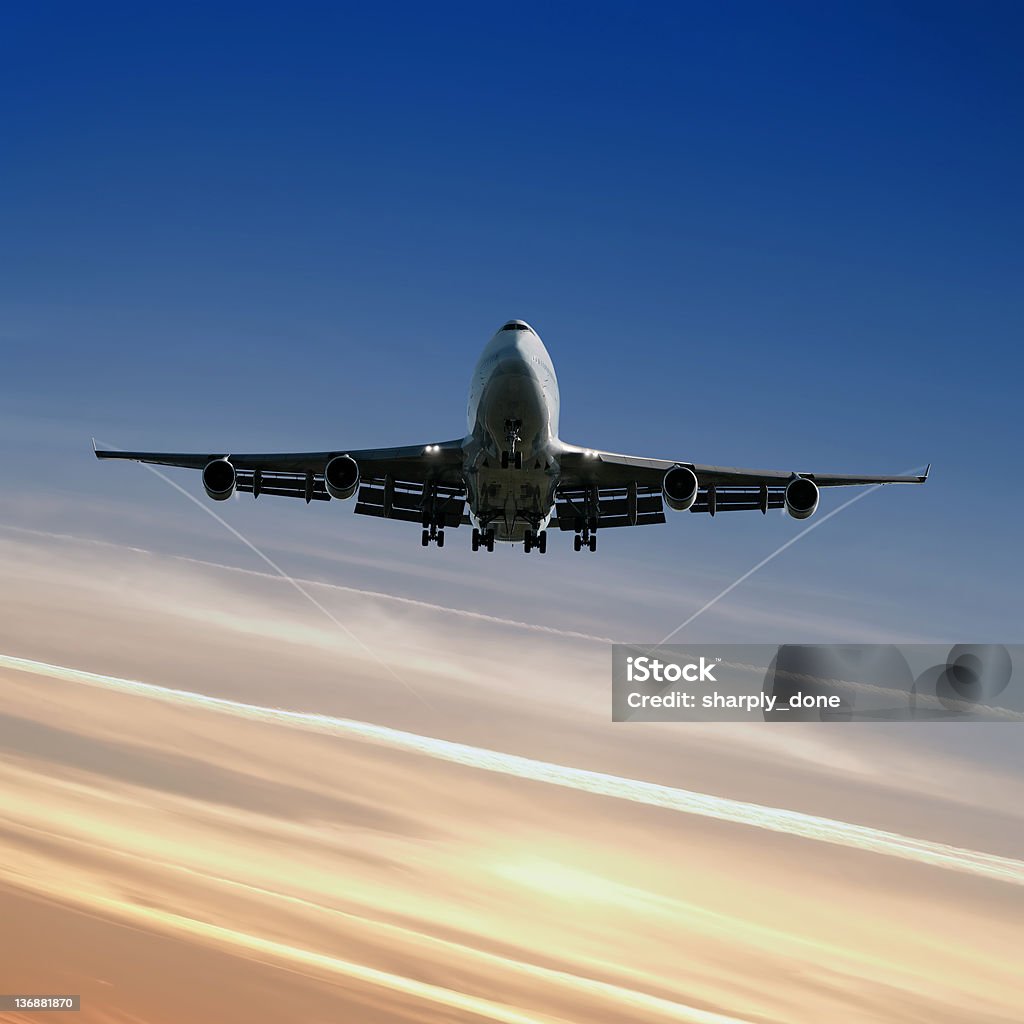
(356,864)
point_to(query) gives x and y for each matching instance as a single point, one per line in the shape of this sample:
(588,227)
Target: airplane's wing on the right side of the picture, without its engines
(613,490)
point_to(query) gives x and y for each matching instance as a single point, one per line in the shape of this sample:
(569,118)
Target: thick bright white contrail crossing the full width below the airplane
(774,820)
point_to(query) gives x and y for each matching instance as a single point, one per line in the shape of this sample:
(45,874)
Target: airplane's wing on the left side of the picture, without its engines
(416,483)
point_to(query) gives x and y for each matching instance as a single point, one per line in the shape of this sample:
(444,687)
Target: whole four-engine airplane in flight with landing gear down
(510,478)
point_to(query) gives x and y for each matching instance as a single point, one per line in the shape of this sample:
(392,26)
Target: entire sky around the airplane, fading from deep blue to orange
(758,235)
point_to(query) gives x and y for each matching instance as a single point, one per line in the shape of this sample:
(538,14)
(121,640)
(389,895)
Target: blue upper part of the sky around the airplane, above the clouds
(749,234)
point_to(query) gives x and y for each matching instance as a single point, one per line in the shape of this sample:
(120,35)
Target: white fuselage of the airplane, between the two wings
(514,409)
